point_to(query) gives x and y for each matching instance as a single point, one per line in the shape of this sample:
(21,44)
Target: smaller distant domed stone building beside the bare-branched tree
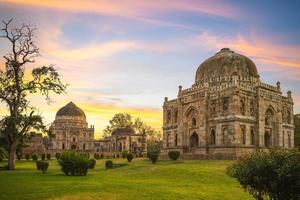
(70,130)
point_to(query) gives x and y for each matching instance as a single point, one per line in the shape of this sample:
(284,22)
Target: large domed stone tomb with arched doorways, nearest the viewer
(227,112)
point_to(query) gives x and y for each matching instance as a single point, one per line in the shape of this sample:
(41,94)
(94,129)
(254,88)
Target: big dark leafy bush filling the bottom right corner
(273,174)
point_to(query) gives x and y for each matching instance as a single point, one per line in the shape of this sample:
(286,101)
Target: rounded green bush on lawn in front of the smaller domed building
(74,164)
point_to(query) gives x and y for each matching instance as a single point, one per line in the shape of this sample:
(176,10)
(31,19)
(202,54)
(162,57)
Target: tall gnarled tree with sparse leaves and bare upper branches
(15,89)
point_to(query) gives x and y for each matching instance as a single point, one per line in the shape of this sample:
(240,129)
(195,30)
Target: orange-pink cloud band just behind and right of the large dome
(262,49)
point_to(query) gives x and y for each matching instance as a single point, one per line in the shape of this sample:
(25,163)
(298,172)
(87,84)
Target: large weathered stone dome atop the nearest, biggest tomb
(226,63)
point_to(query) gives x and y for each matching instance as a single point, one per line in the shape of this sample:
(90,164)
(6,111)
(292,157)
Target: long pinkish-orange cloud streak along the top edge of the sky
(146,11)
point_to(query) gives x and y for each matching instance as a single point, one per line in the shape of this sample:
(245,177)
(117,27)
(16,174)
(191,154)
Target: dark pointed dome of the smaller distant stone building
(71,110)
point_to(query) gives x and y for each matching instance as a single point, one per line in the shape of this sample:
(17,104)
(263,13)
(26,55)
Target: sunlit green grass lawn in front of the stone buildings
(137,180)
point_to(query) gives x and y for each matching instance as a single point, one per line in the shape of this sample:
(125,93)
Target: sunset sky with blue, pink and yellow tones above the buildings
(126,56)
